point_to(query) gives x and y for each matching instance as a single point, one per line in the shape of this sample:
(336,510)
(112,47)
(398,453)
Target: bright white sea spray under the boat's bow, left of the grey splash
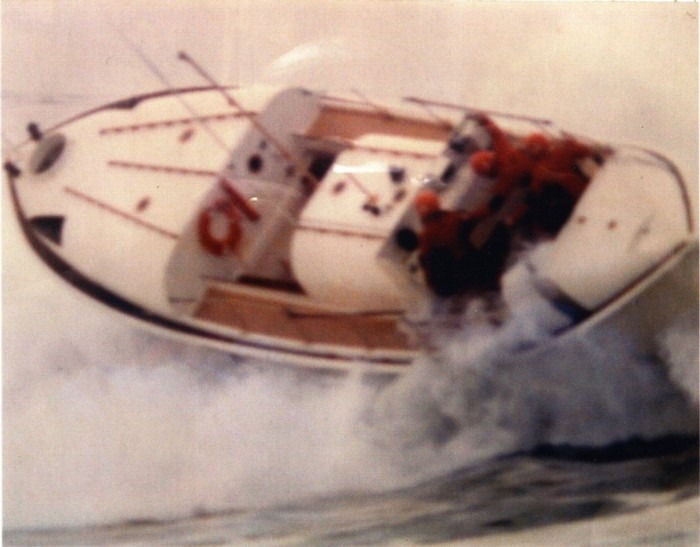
(104,423)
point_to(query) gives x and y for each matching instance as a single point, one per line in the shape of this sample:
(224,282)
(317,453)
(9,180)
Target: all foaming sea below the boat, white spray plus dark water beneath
(113,435)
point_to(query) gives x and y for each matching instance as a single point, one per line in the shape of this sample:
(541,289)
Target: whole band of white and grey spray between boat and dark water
(105,423)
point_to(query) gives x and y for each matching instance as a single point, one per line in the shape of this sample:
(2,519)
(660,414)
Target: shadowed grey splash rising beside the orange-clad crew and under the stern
(492,389)
